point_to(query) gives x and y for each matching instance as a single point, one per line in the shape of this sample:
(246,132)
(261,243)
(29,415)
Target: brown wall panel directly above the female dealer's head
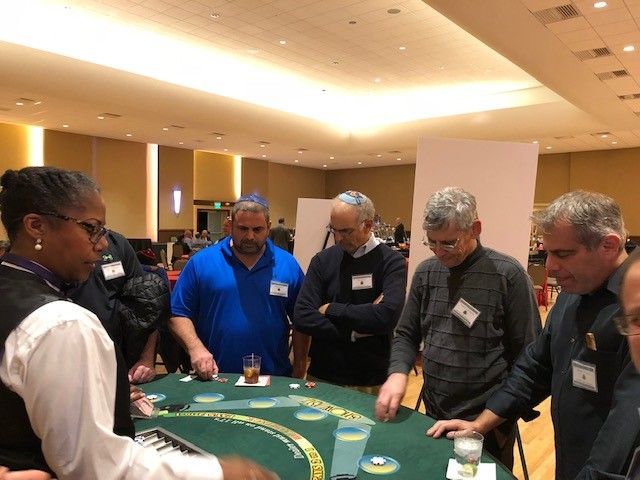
(68,150)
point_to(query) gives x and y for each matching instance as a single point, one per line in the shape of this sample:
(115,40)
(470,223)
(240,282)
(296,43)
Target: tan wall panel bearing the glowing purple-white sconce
(175,170)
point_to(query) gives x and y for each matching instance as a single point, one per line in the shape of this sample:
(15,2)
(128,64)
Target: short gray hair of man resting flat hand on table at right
(592,215)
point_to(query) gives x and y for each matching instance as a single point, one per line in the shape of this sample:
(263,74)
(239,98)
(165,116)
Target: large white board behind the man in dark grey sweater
(502,177)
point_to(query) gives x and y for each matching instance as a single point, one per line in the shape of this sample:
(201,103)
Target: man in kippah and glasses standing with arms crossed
(351,299)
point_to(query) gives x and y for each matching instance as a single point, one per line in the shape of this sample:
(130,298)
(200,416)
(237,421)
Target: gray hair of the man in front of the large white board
(451,205)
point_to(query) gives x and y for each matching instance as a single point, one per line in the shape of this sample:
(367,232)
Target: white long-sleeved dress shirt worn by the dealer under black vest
(62,363)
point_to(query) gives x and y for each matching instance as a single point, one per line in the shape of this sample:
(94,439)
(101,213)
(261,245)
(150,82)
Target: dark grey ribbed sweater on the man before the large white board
(464,365)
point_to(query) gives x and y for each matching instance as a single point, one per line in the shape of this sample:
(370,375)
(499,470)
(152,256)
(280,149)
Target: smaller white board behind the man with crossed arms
(312,219)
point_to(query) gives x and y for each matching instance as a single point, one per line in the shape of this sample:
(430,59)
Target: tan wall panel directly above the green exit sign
(213,177)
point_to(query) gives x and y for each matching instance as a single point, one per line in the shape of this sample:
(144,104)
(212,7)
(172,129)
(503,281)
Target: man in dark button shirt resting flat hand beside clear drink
(579,359)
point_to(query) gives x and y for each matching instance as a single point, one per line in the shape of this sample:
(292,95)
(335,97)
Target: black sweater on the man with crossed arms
(335,356)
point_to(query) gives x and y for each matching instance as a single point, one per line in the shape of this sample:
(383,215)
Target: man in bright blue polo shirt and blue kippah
(236,298)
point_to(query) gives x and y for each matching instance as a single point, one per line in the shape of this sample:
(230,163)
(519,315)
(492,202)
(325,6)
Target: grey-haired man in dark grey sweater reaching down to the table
(473,308)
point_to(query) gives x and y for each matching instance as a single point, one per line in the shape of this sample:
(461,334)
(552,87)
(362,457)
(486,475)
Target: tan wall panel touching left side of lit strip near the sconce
(121,172)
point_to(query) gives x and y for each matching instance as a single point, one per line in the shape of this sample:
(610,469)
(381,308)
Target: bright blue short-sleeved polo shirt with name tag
(237,311)
